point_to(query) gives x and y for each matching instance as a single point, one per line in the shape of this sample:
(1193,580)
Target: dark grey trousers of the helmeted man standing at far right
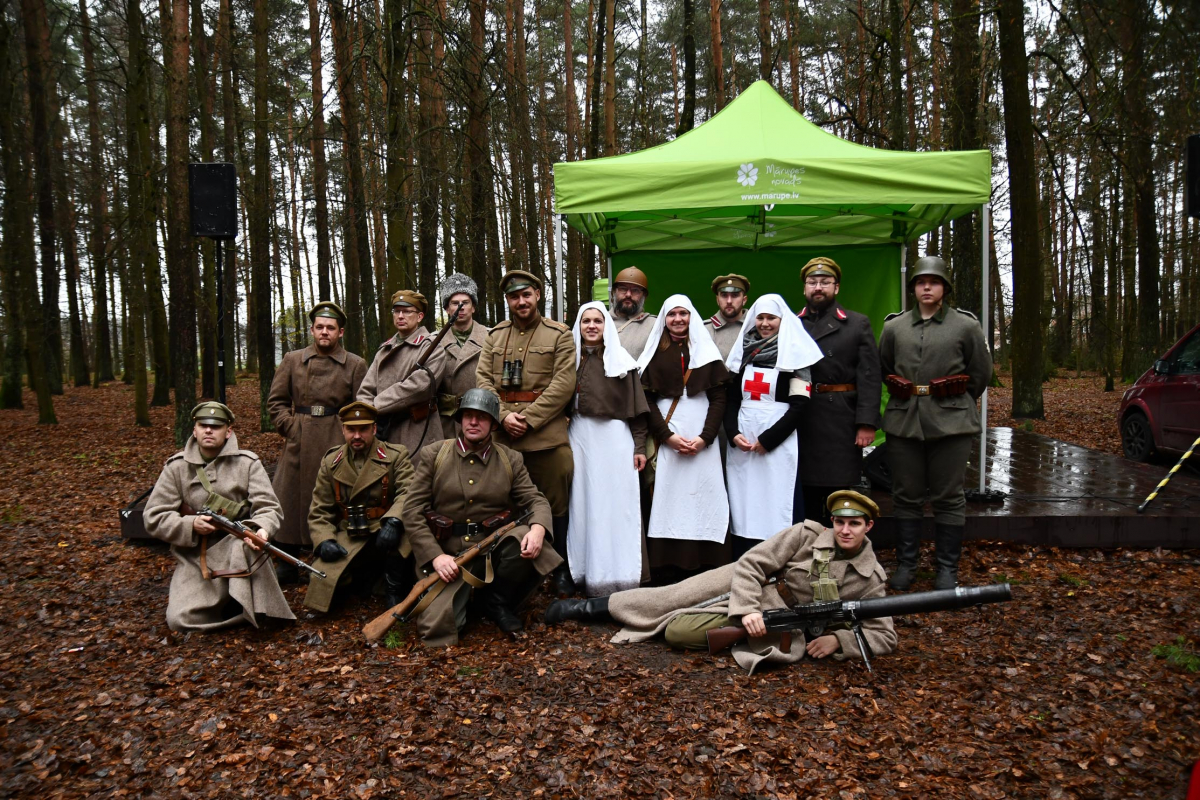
(935,468)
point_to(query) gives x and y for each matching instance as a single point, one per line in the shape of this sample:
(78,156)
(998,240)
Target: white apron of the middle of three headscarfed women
(689,491)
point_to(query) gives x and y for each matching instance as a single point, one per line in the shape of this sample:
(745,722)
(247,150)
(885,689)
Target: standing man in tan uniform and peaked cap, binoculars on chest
(530,363)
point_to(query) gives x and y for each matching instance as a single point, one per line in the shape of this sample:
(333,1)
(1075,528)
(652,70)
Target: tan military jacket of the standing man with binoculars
(548,351)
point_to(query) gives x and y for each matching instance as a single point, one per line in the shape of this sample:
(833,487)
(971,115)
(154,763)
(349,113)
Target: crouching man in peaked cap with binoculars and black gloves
(355,519)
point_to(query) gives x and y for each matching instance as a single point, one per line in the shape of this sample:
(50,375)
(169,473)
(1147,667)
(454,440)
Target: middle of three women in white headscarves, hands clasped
(685,382)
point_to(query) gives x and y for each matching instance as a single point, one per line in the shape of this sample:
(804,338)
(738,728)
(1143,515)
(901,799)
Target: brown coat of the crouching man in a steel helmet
(469,488)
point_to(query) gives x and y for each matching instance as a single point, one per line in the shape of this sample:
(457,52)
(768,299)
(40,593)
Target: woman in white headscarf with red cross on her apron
(764,408)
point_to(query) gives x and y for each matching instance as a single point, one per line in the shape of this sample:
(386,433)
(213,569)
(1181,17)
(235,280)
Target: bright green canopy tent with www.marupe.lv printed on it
(759,190)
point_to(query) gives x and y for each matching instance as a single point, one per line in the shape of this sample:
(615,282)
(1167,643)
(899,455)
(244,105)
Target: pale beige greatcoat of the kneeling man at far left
(196,604)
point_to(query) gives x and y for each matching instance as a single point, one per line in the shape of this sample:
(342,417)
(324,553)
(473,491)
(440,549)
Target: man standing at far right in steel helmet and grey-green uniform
(937,365)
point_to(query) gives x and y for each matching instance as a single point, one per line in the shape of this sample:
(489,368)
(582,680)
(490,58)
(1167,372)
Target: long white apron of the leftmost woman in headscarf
(604,546)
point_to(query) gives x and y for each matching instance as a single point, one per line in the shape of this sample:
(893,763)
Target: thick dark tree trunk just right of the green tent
(1028,366)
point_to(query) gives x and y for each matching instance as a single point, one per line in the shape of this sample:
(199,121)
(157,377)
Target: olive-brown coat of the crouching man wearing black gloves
(358,486)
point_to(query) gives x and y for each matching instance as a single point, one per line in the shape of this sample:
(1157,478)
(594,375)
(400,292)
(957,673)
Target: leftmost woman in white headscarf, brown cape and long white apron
(608,435)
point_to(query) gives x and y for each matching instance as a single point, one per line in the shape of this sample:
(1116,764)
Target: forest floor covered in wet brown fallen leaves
(1059,694)
